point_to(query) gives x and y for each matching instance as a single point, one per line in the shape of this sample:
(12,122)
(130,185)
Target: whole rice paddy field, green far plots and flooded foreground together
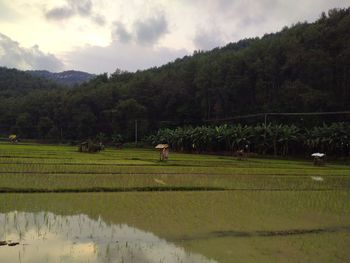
(123,205)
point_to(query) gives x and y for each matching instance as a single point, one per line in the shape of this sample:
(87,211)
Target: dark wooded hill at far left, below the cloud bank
(15,83)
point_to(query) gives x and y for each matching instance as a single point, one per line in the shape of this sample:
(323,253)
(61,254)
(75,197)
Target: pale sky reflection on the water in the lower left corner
(45,237)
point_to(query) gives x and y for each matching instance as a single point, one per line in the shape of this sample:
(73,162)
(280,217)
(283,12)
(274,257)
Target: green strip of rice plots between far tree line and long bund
(46,168)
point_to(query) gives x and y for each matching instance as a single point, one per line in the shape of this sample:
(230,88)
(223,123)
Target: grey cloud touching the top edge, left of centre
(81,8)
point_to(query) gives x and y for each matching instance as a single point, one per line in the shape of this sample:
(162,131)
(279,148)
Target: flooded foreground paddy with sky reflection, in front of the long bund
(204,227)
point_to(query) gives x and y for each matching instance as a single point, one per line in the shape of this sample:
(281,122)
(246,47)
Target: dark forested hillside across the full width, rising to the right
(305,67)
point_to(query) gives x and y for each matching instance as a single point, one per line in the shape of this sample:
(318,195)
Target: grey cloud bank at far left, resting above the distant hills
(14,56)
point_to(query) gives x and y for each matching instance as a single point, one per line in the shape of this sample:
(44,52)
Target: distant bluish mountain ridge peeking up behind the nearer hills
(69,77)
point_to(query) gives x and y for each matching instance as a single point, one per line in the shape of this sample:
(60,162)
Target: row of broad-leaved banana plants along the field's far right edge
(272,139)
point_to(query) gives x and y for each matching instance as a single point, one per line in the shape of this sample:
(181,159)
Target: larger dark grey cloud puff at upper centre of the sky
(151,30)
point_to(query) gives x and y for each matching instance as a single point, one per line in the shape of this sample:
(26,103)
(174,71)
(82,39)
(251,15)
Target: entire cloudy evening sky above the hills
(100,36)
